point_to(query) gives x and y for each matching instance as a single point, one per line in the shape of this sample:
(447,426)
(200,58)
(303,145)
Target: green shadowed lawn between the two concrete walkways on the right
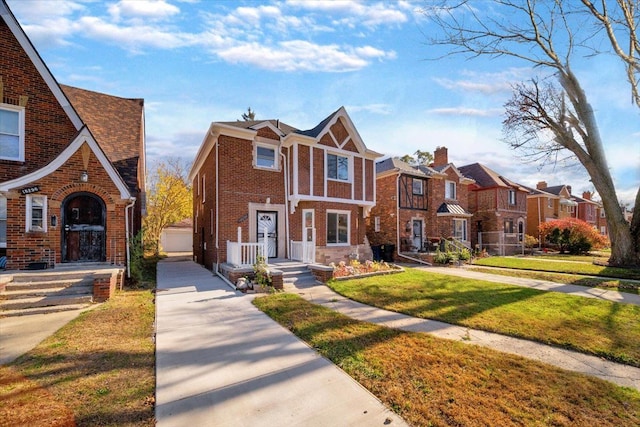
(603,328)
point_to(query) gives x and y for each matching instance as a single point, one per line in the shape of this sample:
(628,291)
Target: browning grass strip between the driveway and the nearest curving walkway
(430,381)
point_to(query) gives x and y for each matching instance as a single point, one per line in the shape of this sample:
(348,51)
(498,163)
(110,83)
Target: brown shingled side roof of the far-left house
(116,124)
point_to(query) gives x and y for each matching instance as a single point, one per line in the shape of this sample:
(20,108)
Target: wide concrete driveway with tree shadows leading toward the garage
(222,362)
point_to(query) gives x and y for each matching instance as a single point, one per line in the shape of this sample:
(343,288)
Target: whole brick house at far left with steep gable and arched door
(71,163)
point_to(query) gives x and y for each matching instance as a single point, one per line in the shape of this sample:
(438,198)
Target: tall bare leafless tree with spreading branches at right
(547,120)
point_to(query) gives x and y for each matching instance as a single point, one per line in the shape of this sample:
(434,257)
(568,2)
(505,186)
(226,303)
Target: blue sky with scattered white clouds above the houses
(195,62)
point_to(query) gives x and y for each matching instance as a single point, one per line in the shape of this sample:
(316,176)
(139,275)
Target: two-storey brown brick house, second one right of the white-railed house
(499,208)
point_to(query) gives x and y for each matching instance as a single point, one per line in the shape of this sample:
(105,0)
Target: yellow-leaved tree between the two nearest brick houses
(169,200)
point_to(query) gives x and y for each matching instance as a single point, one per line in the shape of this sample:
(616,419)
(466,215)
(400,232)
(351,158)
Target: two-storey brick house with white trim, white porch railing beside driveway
(301,195)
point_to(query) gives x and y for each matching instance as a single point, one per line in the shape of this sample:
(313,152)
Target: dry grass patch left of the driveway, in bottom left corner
(97,370)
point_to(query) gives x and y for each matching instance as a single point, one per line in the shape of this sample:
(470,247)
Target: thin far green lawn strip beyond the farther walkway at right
(554,265)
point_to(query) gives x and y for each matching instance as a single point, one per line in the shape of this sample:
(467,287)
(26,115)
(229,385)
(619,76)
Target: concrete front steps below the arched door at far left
(48,291)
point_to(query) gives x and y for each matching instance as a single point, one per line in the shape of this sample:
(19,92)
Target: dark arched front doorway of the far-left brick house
(83,221)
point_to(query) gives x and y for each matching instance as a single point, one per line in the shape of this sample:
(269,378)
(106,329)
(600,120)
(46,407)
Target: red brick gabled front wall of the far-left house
(58,148)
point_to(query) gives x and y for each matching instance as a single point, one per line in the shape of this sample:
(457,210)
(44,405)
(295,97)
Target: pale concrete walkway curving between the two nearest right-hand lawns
(591,365)
